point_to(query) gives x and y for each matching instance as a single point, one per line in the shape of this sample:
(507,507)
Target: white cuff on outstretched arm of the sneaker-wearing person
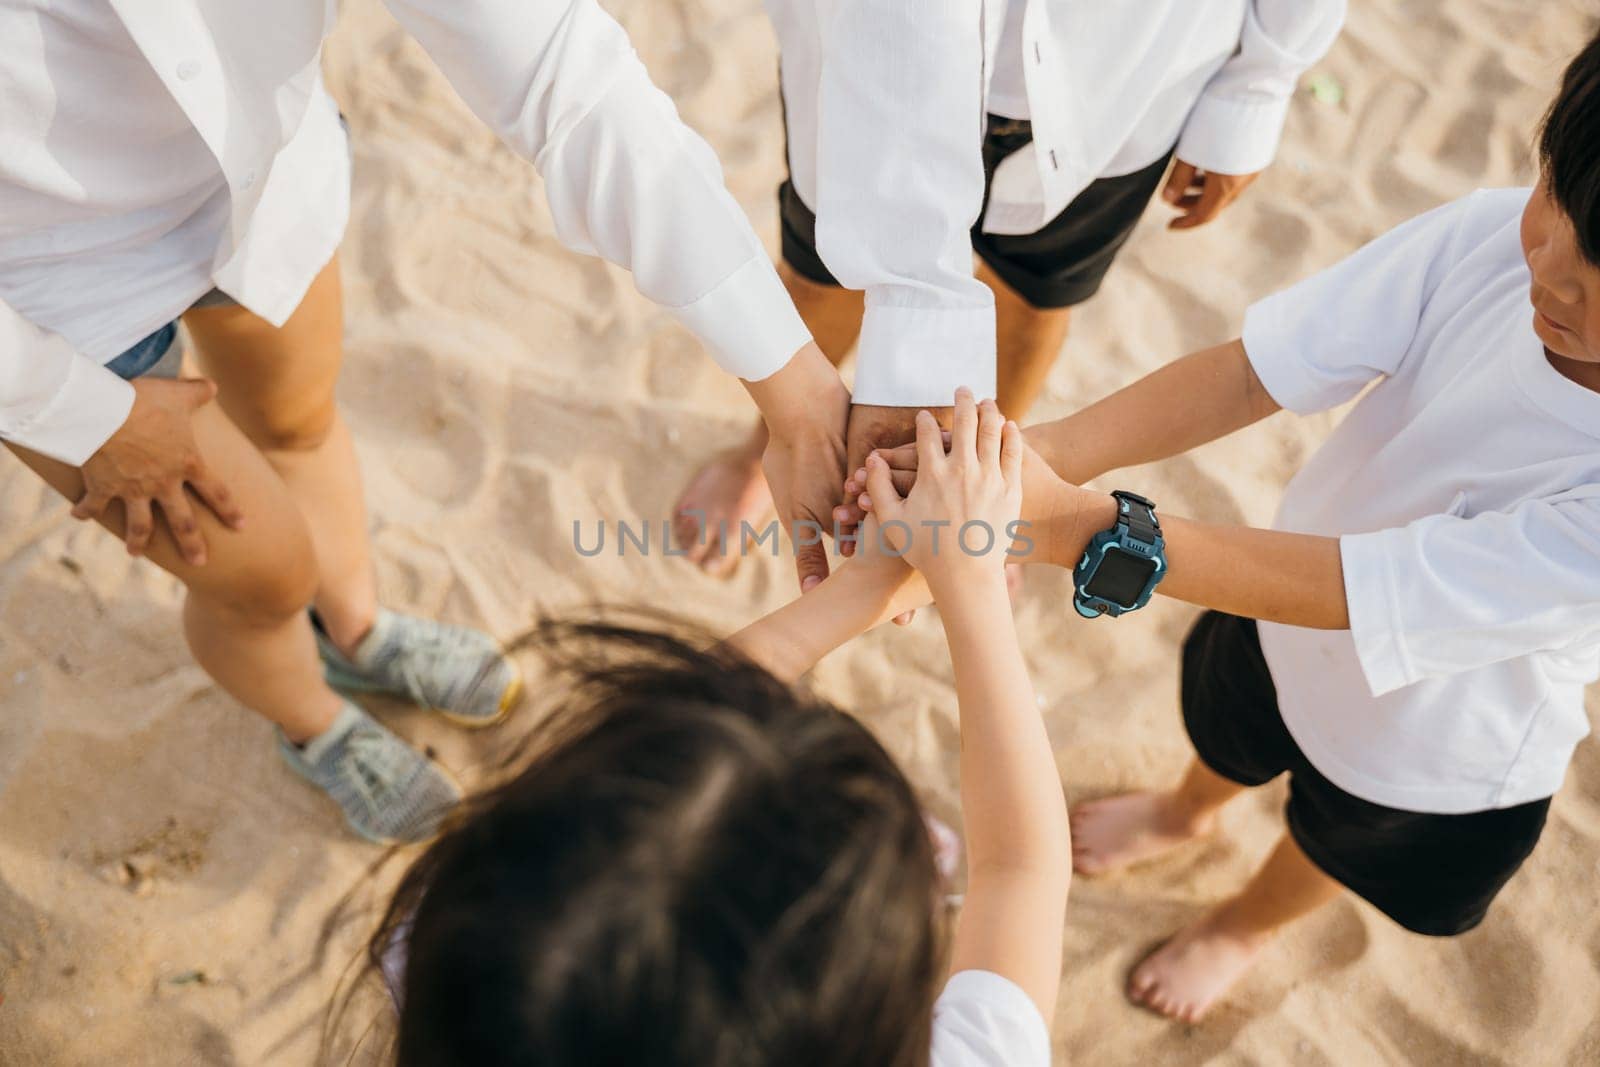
(748,322)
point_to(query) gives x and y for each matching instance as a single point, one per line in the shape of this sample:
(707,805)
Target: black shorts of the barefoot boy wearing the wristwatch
(1434,874)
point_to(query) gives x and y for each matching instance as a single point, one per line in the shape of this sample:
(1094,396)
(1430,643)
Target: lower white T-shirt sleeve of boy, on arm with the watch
(1447,594)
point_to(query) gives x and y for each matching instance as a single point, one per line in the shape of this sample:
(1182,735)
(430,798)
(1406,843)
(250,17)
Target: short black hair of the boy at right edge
(1570,150)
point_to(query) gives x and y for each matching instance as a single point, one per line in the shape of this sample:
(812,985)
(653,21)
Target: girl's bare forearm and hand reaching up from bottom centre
(1020,852)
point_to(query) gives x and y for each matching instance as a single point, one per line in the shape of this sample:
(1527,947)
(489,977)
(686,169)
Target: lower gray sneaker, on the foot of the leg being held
(390,793)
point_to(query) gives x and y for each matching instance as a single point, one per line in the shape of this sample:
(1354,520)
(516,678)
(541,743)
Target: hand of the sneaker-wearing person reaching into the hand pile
(806,407)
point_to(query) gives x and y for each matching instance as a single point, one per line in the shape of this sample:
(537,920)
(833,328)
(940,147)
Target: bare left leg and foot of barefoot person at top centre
(730,489)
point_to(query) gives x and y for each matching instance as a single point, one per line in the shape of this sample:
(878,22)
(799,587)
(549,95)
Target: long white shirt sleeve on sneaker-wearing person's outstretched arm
(626,178)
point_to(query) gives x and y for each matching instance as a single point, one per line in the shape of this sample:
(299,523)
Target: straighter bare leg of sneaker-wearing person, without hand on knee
(278,385)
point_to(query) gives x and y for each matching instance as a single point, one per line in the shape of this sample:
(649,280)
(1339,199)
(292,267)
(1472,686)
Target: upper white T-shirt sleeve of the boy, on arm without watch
(1321,342)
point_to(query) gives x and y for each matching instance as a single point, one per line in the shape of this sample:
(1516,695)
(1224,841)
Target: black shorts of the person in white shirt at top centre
(1058,266)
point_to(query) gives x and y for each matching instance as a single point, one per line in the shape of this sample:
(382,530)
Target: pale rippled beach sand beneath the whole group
(167,885)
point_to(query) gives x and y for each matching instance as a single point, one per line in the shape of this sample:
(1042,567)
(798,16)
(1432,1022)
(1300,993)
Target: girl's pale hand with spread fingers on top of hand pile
(958,521)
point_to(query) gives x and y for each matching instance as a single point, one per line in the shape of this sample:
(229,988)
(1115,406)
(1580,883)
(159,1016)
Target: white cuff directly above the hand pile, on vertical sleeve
(916,358)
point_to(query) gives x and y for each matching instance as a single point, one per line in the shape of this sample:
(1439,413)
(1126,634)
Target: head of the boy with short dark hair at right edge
(1561,228)
